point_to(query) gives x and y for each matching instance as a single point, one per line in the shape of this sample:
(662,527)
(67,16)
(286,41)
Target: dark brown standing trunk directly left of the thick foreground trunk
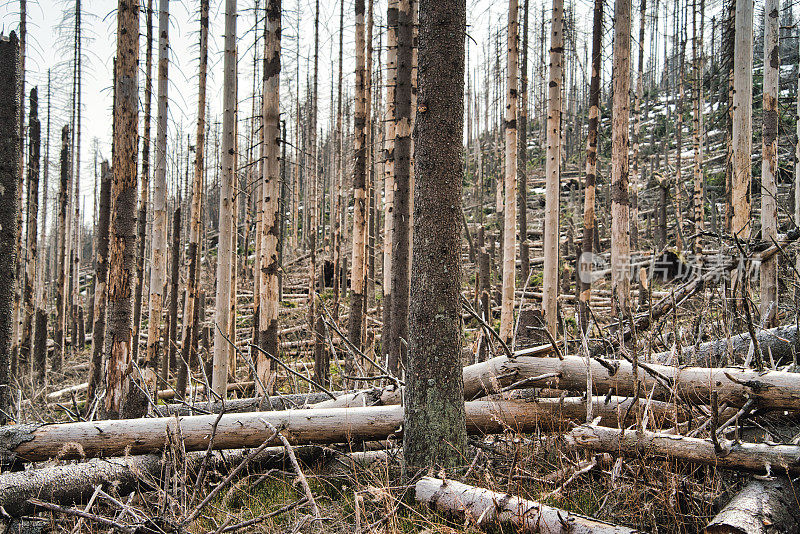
(401,204)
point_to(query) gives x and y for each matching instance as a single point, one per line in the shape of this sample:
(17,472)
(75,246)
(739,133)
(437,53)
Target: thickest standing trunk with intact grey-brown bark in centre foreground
(434,428)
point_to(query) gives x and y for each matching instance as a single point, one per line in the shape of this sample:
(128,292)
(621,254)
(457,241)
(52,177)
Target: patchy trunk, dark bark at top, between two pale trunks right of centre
(587,245)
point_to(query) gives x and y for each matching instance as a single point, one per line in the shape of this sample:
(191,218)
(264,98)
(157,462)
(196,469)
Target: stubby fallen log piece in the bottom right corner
(760,507)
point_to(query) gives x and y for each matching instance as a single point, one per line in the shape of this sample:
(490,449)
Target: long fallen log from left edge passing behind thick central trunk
(35,442)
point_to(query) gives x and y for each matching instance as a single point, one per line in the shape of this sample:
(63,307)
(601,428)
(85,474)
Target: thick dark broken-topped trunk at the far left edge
(10,158)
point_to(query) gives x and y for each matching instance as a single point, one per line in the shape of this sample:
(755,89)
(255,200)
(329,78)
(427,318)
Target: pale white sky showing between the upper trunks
(51,27)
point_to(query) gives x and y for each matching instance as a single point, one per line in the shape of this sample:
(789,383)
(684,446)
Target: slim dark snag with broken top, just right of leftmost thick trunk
(32,210)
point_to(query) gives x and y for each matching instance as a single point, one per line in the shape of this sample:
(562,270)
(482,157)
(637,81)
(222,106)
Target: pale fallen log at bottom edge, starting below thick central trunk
(484,507)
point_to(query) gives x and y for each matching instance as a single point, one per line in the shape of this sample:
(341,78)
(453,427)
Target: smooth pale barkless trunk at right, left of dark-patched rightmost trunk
(742,137)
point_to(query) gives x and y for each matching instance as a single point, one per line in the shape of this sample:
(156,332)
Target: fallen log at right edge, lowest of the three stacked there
(753,457)
